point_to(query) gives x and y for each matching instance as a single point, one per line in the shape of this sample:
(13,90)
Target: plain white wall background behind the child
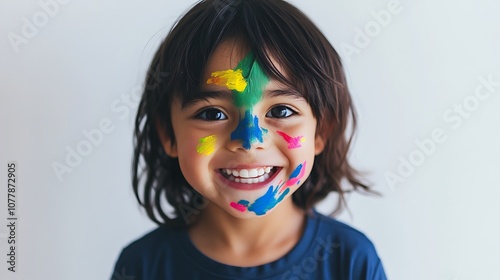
(440,223)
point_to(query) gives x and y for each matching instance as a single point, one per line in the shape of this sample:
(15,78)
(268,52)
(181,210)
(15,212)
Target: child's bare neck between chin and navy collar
(248,242)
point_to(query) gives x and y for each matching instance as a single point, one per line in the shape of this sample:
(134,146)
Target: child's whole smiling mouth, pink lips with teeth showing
(249,178)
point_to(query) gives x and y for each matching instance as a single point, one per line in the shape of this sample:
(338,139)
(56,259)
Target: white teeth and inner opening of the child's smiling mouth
(249,176)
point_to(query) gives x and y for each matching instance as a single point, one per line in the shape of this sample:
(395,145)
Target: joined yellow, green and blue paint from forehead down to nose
(247,82)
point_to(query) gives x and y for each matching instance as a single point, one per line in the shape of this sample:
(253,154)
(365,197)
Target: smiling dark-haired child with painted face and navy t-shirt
(242,129)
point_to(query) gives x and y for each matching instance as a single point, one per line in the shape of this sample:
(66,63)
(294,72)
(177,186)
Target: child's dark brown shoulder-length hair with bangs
(270,28)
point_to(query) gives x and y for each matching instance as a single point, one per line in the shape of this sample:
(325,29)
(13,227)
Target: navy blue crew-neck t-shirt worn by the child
(328,249)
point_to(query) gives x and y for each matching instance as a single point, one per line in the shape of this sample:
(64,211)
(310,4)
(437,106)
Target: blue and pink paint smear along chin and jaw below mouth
(273,196)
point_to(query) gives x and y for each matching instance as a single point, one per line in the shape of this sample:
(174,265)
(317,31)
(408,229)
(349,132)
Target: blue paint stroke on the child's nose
(248,131)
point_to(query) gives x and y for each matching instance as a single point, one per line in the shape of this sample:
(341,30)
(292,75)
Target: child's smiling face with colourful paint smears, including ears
(249,142)
